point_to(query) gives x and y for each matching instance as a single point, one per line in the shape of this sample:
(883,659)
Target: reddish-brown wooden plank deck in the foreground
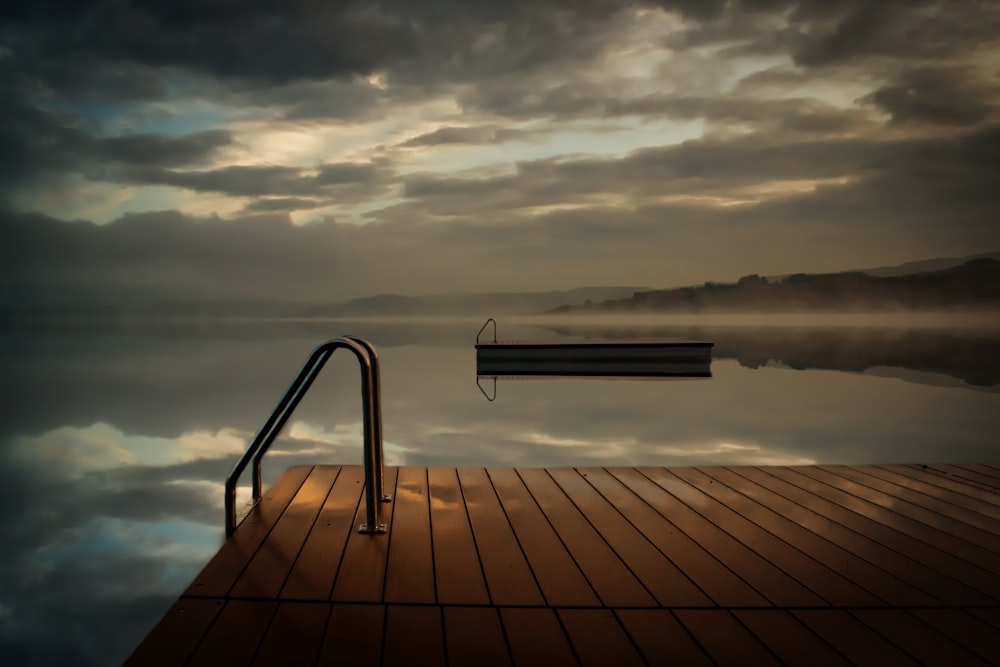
(818,565)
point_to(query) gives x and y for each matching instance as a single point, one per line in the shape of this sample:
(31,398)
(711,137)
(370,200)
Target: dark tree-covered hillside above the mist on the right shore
(974,284)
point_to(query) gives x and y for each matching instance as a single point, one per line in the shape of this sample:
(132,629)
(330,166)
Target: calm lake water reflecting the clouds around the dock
(115,440)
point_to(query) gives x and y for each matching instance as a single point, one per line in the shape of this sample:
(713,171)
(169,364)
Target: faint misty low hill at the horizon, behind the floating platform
(486,304)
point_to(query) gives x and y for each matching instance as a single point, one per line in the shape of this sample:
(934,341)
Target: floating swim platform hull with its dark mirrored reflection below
(629,358)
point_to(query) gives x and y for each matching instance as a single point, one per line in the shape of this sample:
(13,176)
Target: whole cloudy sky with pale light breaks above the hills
(323,150)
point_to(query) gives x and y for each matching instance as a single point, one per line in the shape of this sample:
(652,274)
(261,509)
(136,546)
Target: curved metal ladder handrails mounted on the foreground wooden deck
(371,408)
